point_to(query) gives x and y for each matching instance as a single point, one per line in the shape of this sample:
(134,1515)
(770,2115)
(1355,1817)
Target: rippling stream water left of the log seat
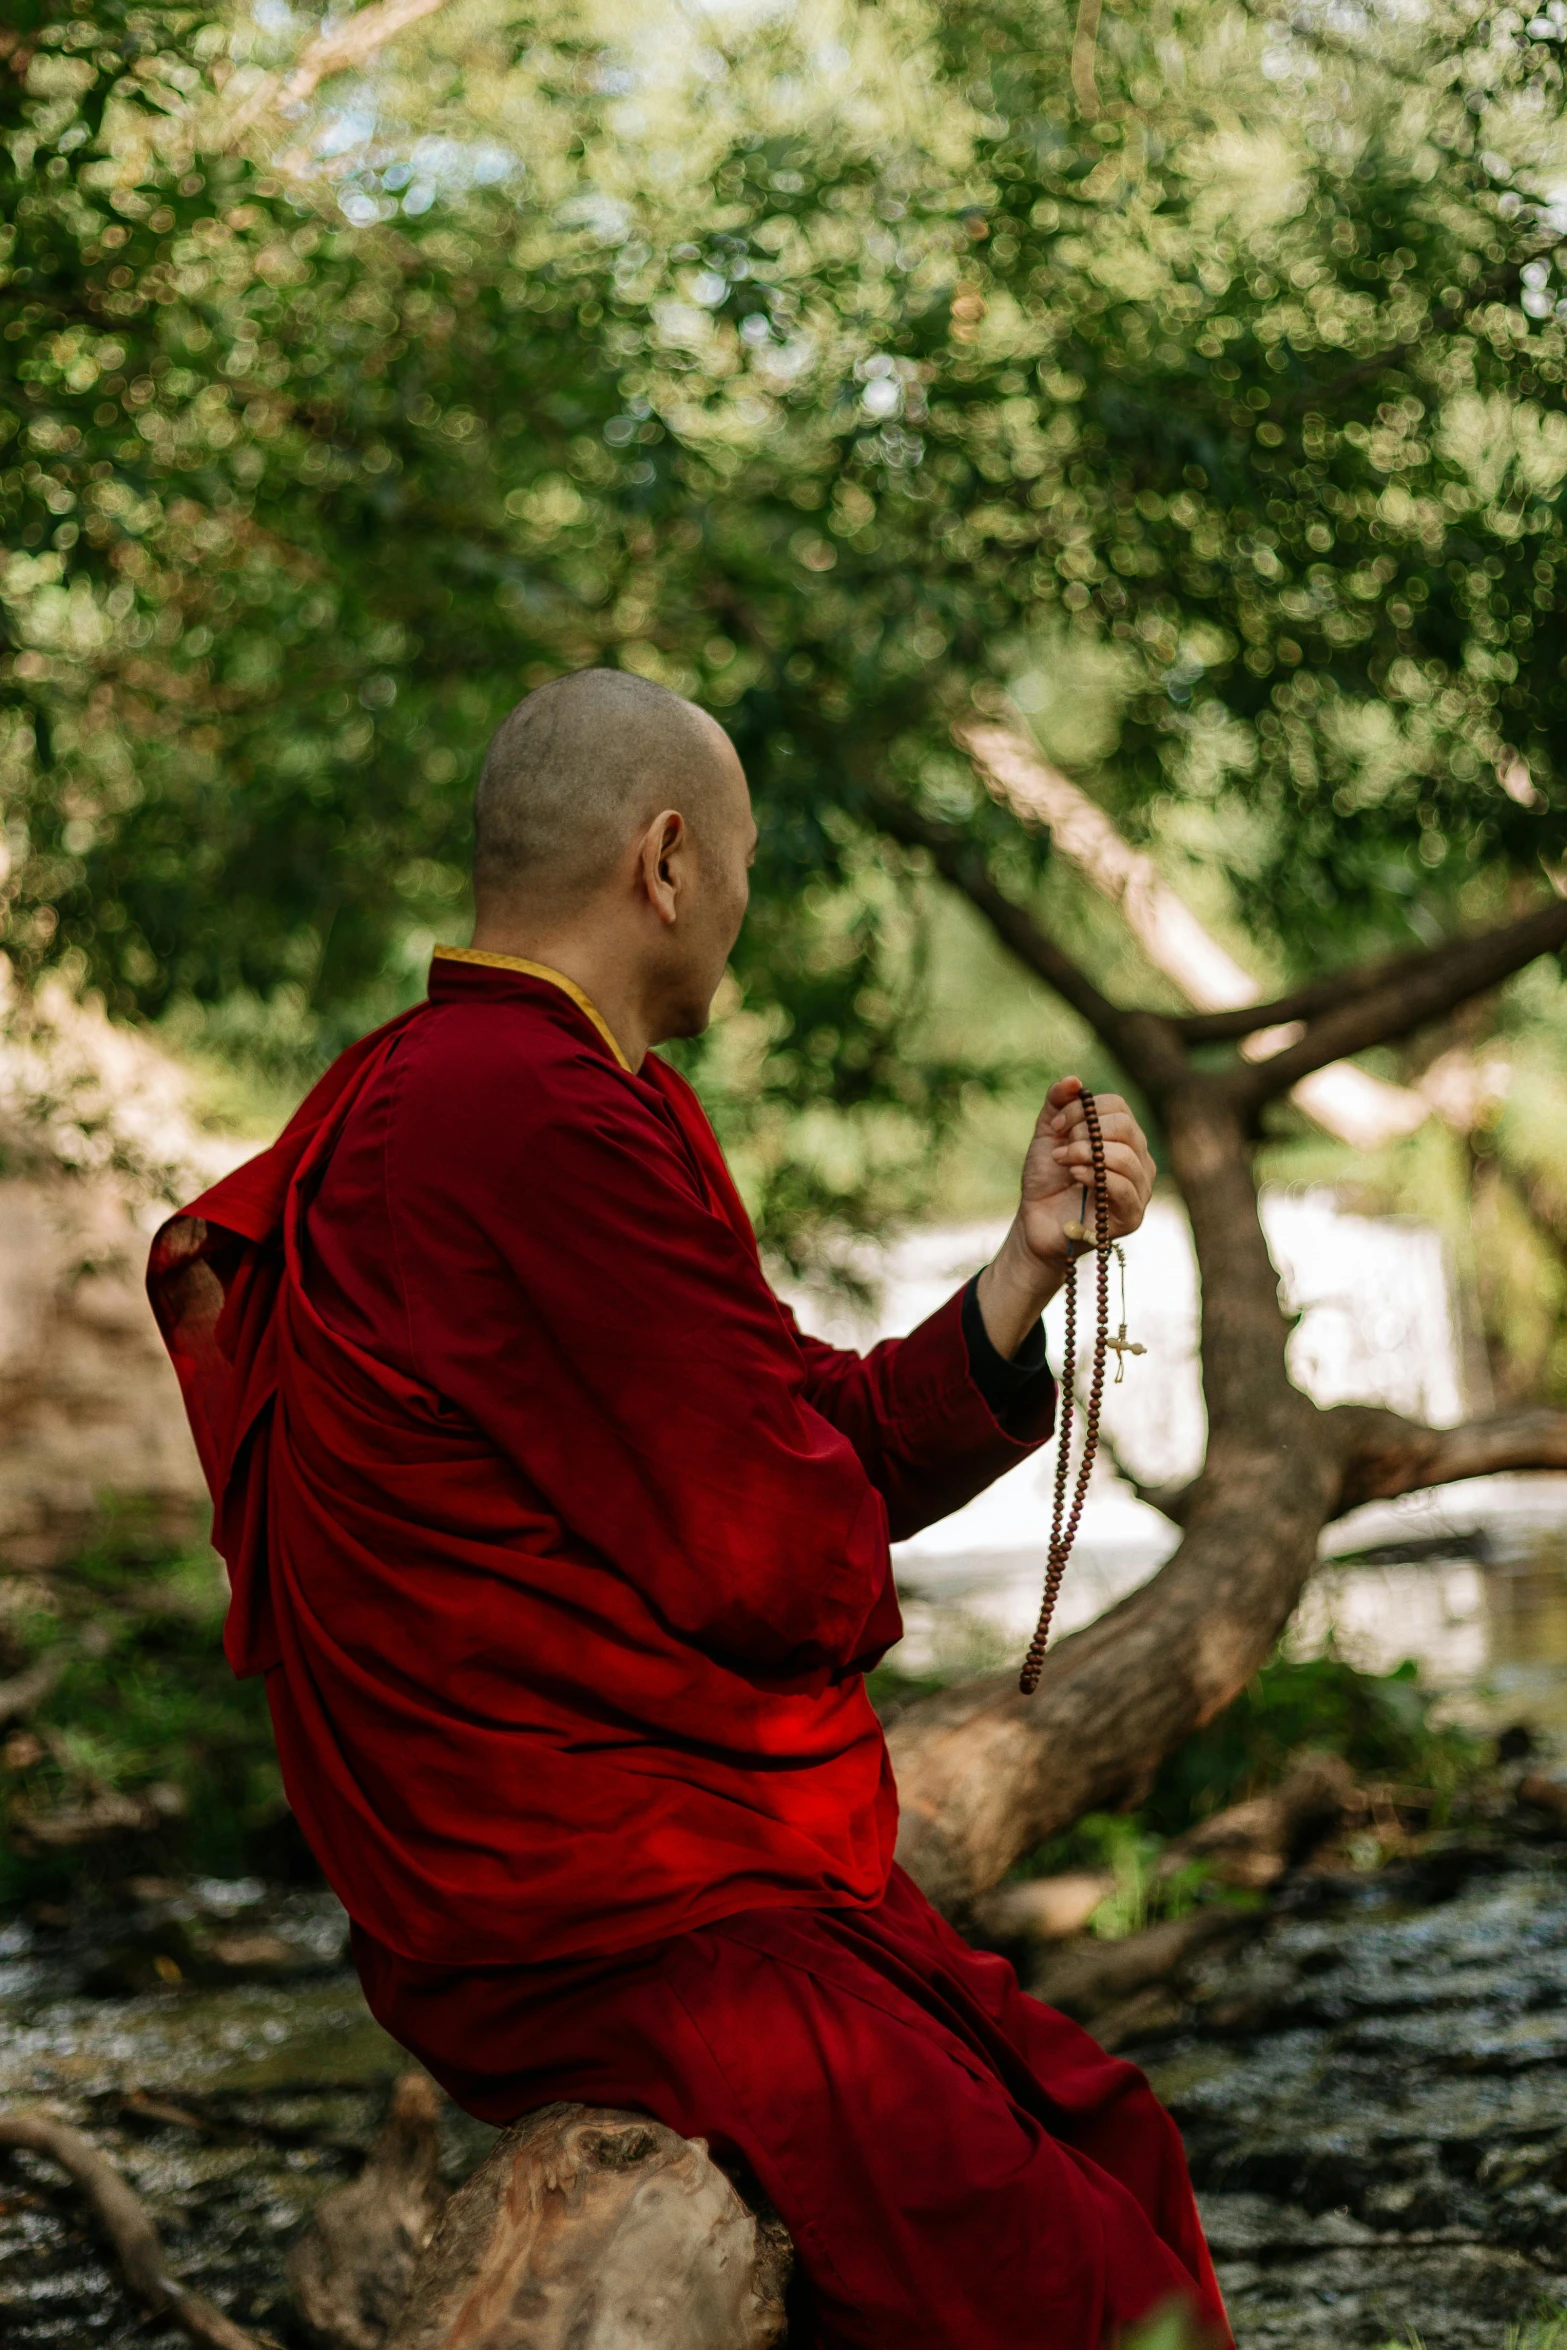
(281,2086)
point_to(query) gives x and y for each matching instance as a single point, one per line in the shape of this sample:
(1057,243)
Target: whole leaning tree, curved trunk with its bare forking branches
(986,1773)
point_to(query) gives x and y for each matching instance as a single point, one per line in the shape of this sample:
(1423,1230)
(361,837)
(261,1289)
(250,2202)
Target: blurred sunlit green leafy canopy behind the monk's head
(828,368)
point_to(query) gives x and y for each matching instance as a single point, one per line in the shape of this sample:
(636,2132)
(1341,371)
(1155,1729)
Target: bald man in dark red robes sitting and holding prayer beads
(565,1555)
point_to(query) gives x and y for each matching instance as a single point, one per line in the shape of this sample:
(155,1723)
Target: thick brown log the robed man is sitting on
(598,2231)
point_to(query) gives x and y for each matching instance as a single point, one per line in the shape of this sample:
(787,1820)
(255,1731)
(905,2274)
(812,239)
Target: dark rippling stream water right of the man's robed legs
(1376,2107)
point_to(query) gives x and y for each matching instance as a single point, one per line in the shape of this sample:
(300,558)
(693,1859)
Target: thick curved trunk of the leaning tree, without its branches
(986,1773)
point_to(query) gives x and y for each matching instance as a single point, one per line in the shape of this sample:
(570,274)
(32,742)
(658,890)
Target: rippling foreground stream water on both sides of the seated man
(1373,2093)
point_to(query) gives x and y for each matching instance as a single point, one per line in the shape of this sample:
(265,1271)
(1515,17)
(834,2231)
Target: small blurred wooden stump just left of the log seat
(354,2267)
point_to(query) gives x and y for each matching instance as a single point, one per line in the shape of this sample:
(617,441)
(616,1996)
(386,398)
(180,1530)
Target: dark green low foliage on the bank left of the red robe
(144,1705)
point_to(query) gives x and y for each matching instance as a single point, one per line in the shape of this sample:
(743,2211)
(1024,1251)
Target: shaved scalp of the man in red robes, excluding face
(577,772)
